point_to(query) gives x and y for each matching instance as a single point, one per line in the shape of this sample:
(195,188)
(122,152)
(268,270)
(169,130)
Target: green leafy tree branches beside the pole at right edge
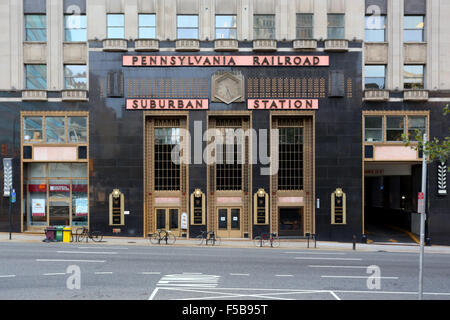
(433,149)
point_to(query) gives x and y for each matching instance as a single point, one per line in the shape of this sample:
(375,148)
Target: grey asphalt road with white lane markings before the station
(50,271)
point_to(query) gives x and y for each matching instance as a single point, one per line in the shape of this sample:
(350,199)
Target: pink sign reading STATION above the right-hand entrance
(283,104)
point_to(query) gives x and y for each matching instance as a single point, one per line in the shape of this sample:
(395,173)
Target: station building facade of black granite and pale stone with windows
(240,117)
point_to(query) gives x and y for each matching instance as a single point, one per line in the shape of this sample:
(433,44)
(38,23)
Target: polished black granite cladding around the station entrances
(117,135)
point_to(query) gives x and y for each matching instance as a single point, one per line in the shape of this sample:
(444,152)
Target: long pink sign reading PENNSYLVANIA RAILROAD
(223,61)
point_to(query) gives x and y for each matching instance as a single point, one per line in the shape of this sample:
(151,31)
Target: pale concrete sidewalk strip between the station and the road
(242,243)
